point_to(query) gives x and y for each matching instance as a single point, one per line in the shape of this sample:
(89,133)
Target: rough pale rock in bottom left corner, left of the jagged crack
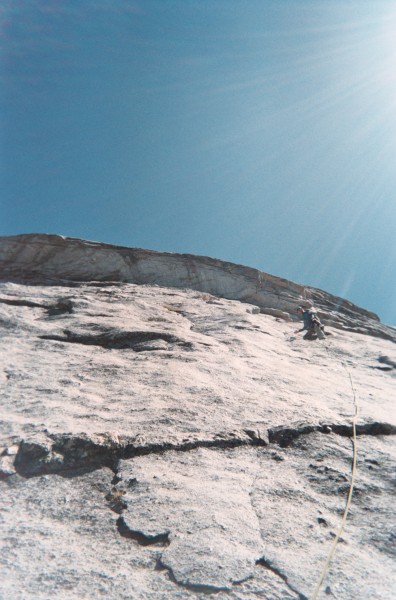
(60,540)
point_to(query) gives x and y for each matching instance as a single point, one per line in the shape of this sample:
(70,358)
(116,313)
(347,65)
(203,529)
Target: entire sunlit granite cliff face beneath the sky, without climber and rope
(163,437)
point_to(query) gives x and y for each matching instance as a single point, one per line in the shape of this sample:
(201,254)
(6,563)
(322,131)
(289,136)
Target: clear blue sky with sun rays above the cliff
(255,131)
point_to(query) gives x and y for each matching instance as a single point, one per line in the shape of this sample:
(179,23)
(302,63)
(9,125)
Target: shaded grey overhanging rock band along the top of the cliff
(55,259)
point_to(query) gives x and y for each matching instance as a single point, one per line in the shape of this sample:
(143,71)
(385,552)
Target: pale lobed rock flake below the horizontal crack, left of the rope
(201,501)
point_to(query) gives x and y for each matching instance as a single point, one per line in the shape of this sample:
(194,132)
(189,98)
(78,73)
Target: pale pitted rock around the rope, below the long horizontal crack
(300,502)
